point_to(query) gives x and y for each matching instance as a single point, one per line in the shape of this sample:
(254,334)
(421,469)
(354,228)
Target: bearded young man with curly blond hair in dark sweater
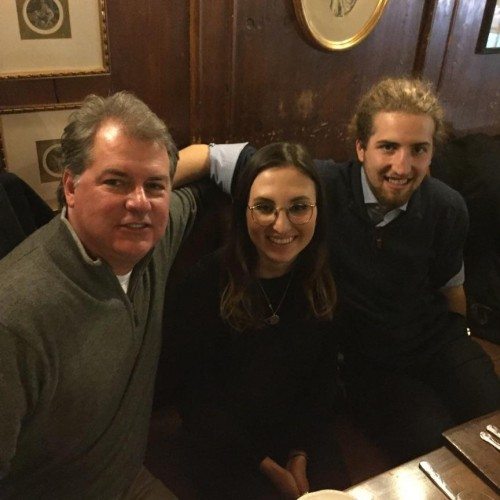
(396,240)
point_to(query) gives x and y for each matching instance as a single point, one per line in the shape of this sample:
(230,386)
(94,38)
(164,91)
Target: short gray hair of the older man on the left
(136,118)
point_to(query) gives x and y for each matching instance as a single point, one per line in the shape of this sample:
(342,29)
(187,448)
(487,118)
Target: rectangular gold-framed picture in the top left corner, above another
(50,38)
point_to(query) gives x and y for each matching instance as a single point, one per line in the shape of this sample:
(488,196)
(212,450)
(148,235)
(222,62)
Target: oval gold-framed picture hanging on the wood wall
(338,24)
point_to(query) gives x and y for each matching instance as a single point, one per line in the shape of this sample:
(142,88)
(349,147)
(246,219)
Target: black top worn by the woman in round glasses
(242,387)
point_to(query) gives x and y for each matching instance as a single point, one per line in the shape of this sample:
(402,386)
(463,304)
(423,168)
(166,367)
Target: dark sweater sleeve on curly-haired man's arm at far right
(450,234)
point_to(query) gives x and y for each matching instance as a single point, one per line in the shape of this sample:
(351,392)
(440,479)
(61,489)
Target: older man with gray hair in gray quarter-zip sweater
(81,307)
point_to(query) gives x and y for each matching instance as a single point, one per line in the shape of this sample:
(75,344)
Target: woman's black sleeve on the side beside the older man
(193,346)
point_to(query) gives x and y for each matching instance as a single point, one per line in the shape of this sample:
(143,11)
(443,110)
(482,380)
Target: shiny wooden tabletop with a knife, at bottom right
(408,482)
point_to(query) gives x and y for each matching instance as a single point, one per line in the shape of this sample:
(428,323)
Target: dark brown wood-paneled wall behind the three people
(233,70)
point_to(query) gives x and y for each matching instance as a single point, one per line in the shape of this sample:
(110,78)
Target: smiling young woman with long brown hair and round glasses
(254,337)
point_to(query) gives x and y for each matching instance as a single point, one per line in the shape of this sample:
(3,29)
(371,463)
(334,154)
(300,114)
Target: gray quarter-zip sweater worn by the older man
(78,358)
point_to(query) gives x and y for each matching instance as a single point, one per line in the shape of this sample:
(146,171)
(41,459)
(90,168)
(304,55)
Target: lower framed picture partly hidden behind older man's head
(30,143)
